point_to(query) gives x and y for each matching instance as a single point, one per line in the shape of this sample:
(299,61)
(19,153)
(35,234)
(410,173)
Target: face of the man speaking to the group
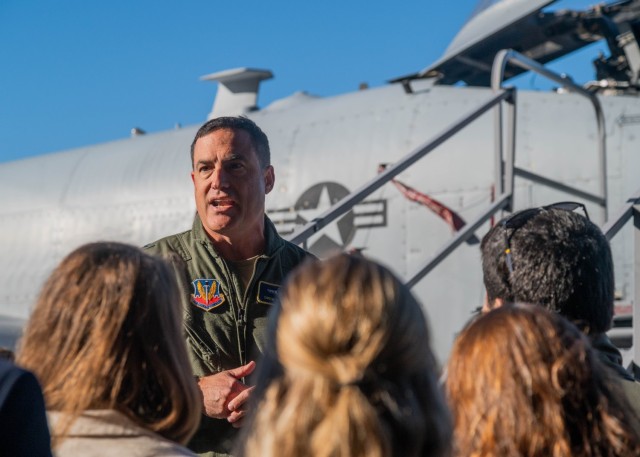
(230,185)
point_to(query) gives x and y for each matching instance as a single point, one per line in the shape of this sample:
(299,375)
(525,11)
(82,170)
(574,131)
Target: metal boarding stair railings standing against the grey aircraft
(505,172)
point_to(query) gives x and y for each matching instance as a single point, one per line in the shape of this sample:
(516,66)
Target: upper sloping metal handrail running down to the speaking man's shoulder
(345,204)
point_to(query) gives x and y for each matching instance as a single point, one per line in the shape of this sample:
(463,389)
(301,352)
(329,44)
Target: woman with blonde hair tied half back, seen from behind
(350,373)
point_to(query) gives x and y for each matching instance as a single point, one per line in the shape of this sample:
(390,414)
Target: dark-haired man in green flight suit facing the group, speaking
(234,263)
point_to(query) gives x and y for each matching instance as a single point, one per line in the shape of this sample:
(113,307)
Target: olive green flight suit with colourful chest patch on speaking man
(223,329)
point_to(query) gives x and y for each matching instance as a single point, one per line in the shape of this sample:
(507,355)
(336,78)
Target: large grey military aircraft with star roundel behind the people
(352,171)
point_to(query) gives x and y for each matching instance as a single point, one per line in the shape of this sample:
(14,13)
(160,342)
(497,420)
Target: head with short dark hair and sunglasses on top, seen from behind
(558,259)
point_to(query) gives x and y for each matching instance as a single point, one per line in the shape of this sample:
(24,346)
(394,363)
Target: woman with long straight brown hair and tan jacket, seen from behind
(105,341)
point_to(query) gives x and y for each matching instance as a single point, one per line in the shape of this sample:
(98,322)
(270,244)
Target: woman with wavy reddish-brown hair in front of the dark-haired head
(523,381)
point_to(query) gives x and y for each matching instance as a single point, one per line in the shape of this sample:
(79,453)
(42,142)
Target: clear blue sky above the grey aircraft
(79,72)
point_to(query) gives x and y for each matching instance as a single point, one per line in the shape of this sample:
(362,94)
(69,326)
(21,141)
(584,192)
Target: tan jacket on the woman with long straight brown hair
(108,433)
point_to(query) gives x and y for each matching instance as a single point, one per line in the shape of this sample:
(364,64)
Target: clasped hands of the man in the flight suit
(224,395)
